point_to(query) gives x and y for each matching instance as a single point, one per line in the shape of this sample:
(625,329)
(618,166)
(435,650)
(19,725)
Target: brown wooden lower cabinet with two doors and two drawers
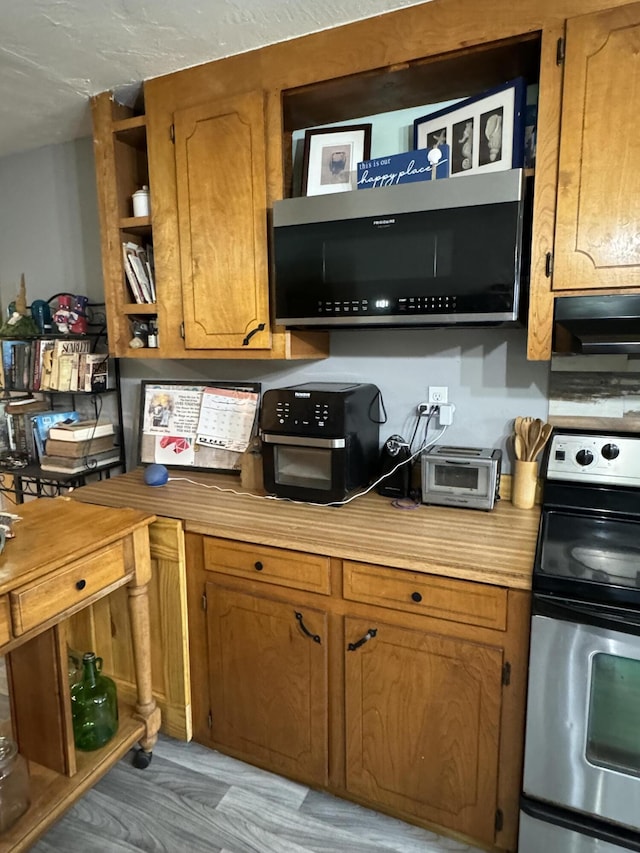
(401,690)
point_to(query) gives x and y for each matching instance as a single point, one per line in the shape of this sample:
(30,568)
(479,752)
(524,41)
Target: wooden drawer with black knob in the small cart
(48,596)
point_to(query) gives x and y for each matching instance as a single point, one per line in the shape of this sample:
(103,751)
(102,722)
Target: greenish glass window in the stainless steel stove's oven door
(613,739)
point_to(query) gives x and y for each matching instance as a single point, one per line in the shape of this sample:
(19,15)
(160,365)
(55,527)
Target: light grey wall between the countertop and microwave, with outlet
(486,371)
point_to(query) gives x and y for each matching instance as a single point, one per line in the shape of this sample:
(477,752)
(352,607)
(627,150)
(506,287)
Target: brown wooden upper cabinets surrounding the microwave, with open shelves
(217,152)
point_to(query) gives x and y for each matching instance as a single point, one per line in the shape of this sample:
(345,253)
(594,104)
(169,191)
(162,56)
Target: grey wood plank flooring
(194,800)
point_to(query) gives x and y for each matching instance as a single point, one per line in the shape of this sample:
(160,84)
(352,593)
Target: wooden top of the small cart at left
(53,532)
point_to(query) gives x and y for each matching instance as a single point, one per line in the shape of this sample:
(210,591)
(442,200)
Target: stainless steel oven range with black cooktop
(581,785)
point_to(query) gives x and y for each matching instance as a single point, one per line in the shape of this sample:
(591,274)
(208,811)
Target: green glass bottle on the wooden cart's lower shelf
(94,706)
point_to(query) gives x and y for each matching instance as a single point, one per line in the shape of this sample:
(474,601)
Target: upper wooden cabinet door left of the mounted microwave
(222,219)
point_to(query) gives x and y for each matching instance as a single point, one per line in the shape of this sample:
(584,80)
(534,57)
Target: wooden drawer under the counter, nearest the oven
(442,598)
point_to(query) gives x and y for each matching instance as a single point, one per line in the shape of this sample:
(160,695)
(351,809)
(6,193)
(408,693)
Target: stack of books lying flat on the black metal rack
(78,446)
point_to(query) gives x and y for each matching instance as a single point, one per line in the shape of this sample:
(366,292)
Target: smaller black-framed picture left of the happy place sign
(331,157)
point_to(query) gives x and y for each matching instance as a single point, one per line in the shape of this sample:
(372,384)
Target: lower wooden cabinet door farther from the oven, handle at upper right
(268,682)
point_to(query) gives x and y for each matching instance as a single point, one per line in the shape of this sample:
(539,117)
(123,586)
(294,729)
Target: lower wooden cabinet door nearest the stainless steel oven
(423,719)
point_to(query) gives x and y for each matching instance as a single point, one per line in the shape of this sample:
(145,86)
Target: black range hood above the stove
(597,324)
